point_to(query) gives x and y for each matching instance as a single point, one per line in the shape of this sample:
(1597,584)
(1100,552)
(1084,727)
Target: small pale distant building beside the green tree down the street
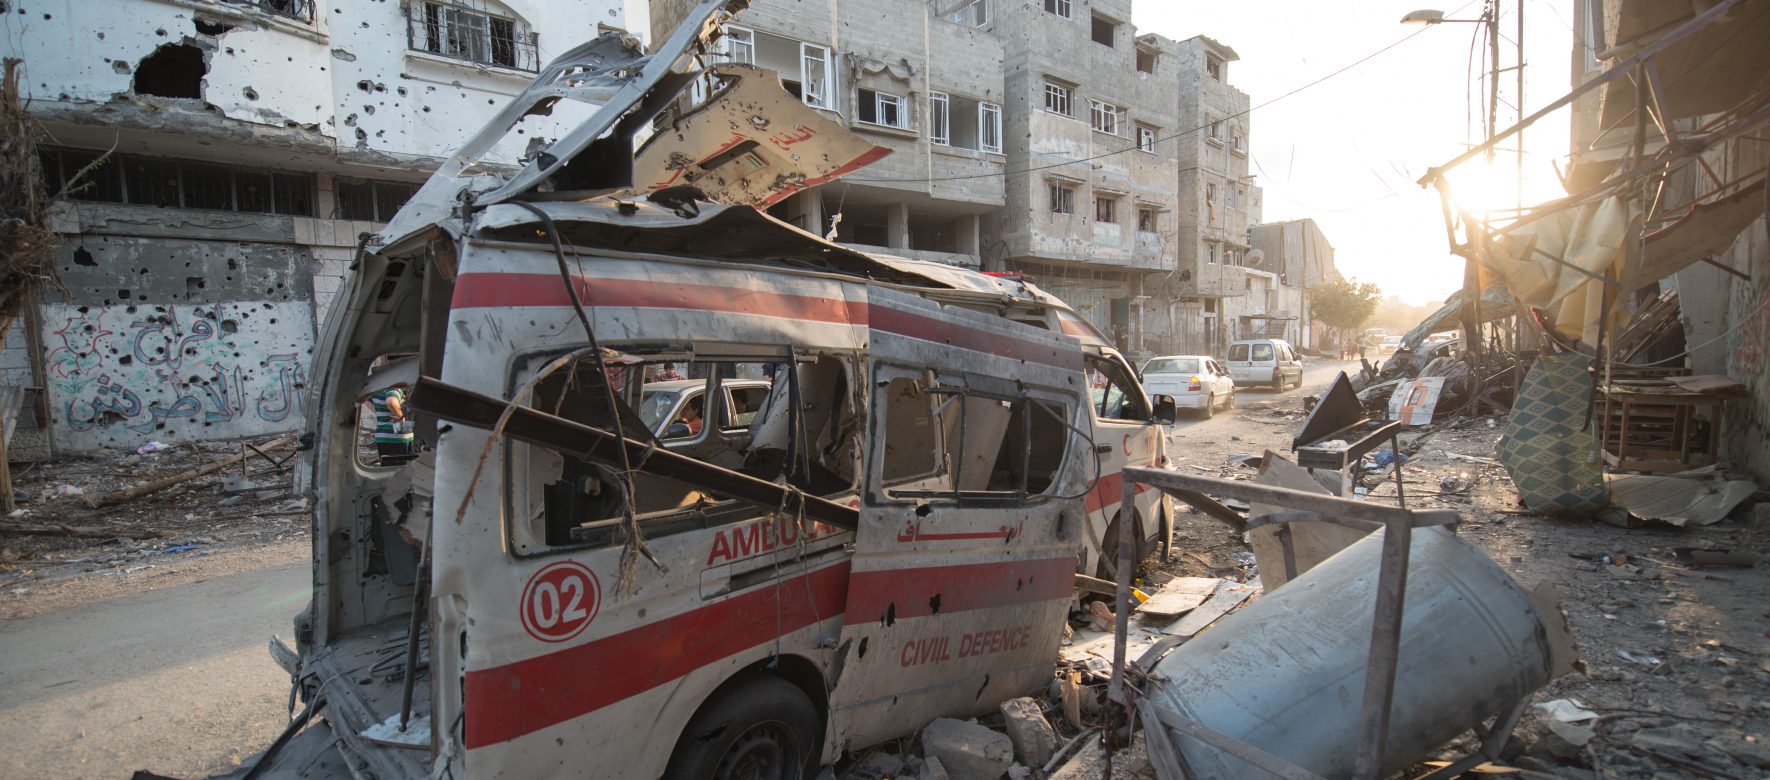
(1288,259)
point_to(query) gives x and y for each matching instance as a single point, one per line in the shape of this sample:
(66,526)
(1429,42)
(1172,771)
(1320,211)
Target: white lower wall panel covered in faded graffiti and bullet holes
(119,374)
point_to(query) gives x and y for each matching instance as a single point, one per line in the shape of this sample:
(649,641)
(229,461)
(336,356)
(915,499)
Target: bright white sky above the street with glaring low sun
(1348,151)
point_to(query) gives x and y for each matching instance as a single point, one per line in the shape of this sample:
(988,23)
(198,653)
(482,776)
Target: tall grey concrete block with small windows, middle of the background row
(1091,194)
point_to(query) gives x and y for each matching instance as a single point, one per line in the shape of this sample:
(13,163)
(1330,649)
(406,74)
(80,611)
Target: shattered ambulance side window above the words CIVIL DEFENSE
(946,440)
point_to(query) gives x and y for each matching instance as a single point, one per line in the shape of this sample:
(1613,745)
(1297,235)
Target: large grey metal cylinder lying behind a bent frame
(1288,673)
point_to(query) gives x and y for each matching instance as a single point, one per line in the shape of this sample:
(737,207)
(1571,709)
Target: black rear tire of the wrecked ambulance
(764,730)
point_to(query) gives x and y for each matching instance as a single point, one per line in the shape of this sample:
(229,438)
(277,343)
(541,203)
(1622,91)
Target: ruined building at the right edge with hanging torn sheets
(1670,114)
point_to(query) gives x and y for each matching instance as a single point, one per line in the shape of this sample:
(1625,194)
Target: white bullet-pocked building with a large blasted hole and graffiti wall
(217,164)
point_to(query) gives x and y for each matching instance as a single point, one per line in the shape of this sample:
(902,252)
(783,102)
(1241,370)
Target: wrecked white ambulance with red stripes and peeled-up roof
(884,531)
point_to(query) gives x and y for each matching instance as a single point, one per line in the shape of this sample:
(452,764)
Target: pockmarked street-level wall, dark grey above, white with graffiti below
(178,339)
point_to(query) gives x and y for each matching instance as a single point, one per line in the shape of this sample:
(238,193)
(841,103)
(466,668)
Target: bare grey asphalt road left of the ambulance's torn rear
(173,680)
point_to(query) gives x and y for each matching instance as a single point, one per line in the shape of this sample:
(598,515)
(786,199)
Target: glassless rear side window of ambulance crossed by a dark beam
(762,418)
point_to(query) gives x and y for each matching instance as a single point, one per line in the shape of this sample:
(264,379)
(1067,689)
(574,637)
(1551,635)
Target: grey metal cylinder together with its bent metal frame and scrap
(1328,675)
